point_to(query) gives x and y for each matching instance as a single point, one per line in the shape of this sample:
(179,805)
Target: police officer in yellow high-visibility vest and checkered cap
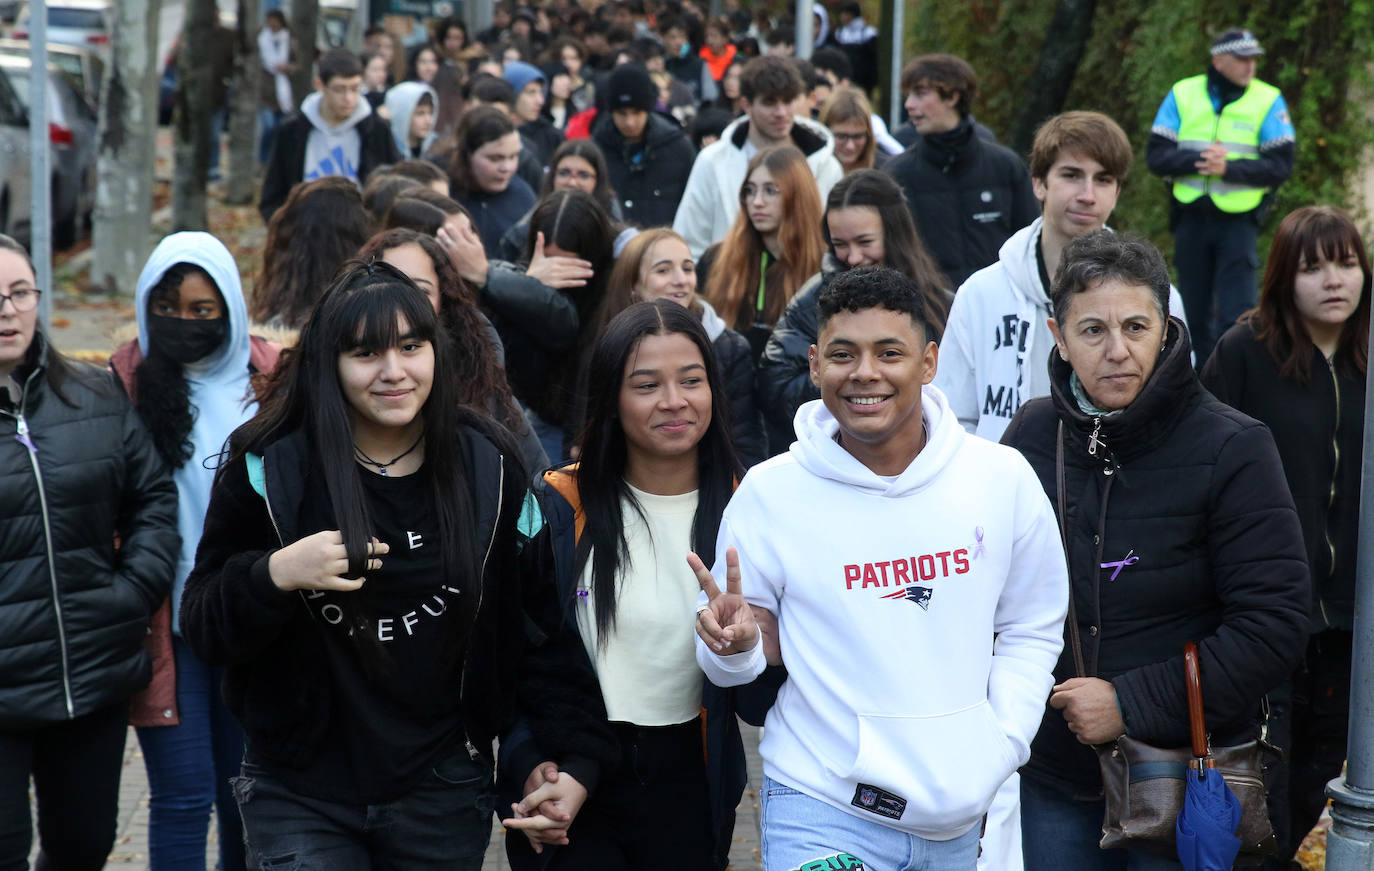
(1226,141)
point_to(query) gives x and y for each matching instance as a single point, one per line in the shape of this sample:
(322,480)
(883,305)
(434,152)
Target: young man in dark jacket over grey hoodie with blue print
(336,134)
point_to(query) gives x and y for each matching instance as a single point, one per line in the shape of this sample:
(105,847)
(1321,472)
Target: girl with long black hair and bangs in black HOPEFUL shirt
(361,579)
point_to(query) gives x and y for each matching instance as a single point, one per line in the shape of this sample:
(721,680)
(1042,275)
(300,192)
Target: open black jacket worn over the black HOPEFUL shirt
(277,683)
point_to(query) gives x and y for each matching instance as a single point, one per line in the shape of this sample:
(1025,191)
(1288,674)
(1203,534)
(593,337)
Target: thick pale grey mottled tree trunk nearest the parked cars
(127,149)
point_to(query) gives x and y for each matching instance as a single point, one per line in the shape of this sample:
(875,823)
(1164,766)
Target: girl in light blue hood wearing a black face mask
(190,377)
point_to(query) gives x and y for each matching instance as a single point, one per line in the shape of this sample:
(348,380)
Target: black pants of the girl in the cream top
(652,813)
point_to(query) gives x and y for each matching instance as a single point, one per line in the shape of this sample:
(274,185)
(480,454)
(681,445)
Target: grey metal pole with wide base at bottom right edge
(1350,843)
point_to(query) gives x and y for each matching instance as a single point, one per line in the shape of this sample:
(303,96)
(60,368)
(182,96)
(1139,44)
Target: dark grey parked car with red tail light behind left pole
(72,133)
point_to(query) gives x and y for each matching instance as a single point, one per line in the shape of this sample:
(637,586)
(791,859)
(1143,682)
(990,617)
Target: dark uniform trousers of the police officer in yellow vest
(1218,262)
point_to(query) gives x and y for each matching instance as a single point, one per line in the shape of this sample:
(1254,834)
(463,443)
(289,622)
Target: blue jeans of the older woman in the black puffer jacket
(1061,833)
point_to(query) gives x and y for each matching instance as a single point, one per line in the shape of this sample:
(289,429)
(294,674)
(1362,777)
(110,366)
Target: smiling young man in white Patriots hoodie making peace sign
(920,591)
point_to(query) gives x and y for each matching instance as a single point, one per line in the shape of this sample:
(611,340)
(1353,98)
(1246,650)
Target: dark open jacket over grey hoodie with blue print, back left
(304,149)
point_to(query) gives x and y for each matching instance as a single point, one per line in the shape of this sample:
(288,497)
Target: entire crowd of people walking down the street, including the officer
(640,383)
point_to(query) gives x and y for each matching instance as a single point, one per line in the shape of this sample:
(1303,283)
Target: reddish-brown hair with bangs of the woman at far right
(1309,236)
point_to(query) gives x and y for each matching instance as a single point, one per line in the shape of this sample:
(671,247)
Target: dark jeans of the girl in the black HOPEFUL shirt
(444,822)
